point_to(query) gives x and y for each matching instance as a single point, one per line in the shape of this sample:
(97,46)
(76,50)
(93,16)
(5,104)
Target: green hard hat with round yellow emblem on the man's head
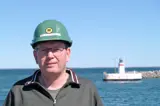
(50,30)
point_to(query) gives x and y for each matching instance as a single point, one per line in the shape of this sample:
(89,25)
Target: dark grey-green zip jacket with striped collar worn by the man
(76,92)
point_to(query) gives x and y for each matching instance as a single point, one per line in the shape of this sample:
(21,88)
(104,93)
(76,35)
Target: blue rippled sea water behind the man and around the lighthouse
(142,93)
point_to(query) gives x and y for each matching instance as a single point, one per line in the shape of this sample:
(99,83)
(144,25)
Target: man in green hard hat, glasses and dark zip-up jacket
(53,84)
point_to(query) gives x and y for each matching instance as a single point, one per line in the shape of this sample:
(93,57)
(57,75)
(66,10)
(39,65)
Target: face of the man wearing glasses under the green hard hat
(52,56)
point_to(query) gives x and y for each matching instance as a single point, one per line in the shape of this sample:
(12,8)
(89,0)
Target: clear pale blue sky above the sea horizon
(102,31)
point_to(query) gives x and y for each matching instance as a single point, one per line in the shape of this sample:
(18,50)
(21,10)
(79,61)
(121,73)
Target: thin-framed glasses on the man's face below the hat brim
(55,51)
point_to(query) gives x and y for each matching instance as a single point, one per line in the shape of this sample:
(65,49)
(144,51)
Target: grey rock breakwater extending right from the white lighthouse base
(150,74)
